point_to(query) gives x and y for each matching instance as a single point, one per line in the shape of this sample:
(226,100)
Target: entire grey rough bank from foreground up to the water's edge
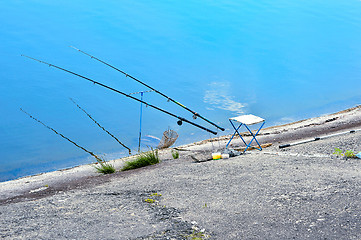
(303,191)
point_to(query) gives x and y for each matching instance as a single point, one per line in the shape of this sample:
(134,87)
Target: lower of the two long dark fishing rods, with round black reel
(180,119)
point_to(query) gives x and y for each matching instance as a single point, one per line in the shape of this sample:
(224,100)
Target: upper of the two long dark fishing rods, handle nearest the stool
(195,114)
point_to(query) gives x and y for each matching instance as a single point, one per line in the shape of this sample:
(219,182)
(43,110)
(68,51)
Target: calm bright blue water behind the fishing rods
(282,60)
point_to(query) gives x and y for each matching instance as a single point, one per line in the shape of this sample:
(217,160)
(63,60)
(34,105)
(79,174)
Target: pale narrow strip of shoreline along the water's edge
(36,186)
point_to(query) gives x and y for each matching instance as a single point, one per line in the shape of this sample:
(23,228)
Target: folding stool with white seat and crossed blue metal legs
(246,120)
